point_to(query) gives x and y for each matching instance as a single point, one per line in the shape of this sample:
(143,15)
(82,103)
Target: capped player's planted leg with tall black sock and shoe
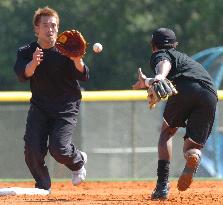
(175,115)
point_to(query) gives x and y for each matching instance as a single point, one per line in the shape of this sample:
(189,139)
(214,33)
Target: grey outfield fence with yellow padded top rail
(115,128)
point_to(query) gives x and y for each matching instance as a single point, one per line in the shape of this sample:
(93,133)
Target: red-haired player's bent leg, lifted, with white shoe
(62,148)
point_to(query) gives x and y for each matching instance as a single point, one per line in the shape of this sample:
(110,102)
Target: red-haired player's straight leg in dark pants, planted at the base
(36,147)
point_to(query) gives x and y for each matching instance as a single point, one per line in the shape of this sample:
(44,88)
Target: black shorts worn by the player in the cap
(194,108)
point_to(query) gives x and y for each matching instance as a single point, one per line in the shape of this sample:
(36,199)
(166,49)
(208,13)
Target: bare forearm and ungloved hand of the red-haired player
(32,65)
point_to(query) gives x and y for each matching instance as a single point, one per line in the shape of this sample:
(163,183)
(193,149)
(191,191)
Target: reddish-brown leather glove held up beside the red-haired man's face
(71,43)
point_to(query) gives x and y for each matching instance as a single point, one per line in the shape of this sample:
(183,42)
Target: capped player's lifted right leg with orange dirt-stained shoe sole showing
(198,129)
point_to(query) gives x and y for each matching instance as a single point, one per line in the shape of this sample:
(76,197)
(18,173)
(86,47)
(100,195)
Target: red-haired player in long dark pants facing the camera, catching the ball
(55,101)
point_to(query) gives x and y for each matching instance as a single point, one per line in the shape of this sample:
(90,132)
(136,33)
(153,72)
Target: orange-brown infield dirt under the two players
(116,193)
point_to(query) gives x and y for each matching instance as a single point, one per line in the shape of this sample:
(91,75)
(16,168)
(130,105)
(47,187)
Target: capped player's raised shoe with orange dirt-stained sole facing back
(186,178)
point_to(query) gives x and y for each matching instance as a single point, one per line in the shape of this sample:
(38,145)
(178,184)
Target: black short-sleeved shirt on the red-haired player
(55,80)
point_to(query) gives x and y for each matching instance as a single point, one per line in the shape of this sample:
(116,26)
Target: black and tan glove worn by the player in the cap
(160,90)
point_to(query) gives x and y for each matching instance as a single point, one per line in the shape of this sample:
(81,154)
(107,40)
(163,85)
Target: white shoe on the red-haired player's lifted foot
(80,175)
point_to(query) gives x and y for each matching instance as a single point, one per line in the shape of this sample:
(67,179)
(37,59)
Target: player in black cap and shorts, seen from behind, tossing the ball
(192,108)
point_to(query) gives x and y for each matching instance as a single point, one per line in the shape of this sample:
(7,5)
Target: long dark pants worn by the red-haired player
(53,132)
